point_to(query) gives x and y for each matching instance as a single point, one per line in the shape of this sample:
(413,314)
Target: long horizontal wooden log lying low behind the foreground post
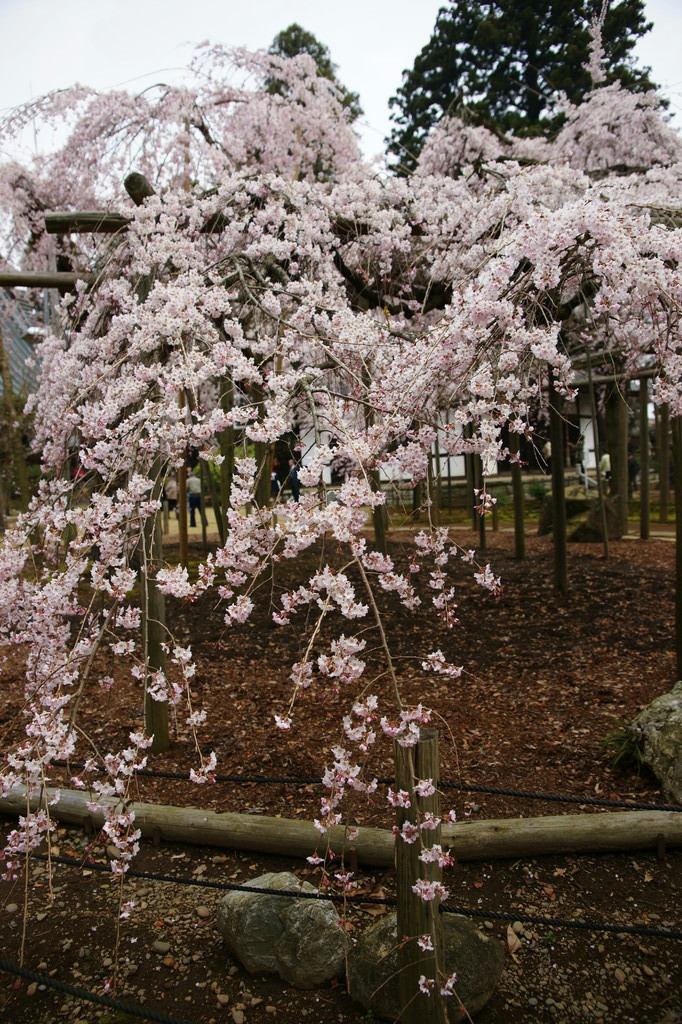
(611,832)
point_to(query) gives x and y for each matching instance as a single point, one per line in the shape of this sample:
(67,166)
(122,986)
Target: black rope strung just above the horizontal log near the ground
(389,781)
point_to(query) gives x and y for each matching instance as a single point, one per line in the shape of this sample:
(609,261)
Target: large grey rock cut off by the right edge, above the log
(659,734)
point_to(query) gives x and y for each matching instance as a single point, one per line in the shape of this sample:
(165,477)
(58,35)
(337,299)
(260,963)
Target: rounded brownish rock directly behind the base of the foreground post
(477,959)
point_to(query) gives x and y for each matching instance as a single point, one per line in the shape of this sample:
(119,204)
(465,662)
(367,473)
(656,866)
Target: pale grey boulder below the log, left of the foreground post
(300,940)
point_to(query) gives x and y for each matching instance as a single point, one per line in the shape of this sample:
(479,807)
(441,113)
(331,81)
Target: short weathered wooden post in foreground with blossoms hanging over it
(415,917)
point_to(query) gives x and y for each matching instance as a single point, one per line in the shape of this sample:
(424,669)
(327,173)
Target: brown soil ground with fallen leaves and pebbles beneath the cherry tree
(547,679)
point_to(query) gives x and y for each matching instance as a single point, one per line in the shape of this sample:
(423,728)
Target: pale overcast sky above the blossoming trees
(50,45)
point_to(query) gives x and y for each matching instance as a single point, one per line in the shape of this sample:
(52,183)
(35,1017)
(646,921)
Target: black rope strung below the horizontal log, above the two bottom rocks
(662,933)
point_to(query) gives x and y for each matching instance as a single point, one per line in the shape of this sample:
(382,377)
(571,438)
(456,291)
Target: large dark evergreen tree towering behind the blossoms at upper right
(506,61)
